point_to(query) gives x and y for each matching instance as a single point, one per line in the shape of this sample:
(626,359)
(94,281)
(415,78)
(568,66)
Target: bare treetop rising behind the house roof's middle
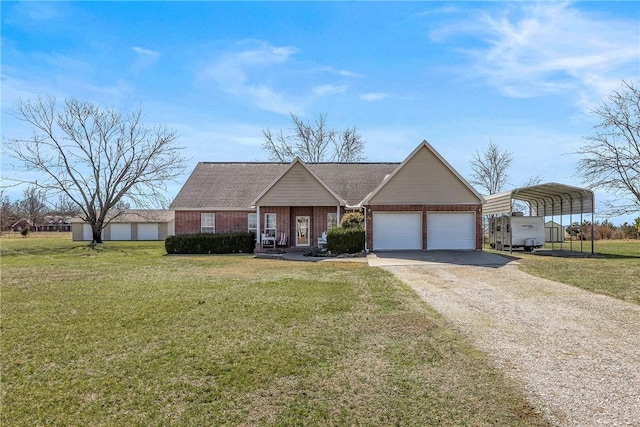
(314,142)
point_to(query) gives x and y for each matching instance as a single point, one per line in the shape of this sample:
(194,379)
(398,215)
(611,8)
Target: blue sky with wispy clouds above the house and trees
(458,74)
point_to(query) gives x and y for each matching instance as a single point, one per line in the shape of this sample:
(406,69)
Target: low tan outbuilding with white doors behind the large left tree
(140,224)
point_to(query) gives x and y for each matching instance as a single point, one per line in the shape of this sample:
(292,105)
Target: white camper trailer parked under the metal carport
(516,231)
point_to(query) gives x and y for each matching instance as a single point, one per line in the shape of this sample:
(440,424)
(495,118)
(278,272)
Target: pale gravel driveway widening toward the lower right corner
(576,354)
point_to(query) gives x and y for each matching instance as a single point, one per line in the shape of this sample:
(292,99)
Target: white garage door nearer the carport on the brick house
(451,230)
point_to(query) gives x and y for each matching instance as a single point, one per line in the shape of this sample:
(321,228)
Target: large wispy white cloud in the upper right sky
(537,49)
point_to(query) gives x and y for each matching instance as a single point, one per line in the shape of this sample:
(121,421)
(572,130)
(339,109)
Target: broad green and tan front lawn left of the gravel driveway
(125,336)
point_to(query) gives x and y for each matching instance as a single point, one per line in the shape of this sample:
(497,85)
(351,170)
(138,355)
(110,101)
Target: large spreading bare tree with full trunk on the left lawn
(95,157)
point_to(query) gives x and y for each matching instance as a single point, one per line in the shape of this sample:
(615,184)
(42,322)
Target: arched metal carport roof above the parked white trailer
(545,200)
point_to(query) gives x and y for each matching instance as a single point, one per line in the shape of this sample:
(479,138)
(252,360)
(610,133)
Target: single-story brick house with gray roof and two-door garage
(419,204)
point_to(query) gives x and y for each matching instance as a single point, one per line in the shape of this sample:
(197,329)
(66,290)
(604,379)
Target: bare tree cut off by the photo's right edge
(611,157)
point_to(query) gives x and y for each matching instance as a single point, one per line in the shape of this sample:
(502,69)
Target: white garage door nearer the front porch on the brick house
(397,230)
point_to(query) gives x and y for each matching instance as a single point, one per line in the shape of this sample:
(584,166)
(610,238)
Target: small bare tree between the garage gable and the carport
(489,168)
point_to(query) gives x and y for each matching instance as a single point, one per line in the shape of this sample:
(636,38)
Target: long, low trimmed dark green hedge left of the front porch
(210,243)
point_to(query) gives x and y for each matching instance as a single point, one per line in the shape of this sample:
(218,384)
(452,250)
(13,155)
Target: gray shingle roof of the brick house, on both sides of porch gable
(236,185)
